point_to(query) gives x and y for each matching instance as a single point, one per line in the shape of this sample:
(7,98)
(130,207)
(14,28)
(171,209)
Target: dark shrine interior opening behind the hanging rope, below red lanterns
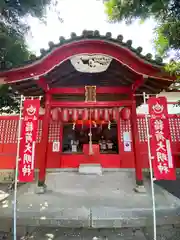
(76,137)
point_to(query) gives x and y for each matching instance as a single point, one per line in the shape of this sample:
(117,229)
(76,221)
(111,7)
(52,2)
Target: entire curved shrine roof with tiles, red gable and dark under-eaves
(57,67)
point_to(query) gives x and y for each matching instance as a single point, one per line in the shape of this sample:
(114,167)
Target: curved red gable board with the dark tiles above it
(89,43)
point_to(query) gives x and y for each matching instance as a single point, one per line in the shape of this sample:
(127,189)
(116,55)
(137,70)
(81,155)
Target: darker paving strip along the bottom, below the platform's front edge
(47,233)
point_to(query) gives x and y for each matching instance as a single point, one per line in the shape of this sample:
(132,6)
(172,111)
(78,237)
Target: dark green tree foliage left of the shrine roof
(13,47)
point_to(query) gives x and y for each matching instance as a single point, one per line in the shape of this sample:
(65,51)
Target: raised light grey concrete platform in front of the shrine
(107,201)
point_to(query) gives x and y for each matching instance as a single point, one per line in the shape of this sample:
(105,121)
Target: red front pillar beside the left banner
(44,141)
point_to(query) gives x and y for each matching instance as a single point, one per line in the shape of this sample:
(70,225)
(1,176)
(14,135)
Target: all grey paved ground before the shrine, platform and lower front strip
(78,202)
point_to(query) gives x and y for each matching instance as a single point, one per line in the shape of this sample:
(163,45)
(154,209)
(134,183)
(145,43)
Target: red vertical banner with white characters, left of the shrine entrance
(28,140)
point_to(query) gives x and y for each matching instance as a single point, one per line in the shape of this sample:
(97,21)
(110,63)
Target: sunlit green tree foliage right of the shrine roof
(166,13)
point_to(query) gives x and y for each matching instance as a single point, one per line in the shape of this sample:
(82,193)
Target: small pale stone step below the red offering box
(90,169)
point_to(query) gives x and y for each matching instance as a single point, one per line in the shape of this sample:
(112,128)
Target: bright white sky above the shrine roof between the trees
(79,15)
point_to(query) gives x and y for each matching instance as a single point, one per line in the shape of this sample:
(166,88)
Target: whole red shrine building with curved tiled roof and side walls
(91,86)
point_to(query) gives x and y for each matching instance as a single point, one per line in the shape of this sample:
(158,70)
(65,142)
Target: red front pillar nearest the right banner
(135,140)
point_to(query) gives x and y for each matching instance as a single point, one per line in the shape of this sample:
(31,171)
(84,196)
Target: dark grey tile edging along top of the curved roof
(148,58)
